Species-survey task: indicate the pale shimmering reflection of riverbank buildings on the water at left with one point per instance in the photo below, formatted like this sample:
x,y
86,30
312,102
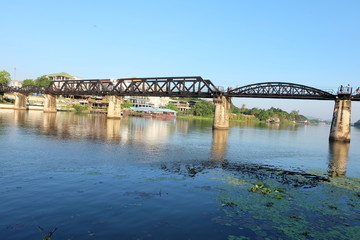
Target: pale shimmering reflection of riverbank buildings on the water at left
x,y
85,126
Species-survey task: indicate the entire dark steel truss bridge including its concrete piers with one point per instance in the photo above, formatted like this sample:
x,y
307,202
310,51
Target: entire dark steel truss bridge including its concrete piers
x,y
197,87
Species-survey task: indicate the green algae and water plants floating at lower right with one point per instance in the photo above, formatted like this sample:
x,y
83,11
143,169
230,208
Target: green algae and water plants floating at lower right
x,y
328,210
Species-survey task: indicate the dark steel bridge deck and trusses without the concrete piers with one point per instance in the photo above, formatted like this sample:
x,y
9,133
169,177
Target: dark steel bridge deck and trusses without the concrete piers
x,y
195,87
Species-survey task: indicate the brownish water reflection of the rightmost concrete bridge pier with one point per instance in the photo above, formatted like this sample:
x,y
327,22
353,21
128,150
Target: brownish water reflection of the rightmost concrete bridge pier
x,y
338,155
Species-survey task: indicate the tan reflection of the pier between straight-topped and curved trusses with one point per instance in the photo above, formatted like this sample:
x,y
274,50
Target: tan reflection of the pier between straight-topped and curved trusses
x,y
219,145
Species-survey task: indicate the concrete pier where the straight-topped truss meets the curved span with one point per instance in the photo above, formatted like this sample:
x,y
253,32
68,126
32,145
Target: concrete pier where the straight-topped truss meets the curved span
x,y
222,109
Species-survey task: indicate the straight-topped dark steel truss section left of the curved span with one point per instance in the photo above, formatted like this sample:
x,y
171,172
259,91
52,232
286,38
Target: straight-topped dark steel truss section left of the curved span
x,y
161,87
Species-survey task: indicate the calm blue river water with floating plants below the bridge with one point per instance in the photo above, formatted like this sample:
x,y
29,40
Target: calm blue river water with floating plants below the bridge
x,y
71,176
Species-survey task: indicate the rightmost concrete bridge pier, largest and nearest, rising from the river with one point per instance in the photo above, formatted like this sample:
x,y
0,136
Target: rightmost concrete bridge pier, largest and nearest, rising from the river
x,y
340,125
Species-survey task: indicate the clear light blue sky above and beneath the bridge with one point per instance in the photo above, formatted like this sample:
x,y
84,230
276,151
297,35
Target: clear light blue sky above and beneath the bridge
x,y
232,43
